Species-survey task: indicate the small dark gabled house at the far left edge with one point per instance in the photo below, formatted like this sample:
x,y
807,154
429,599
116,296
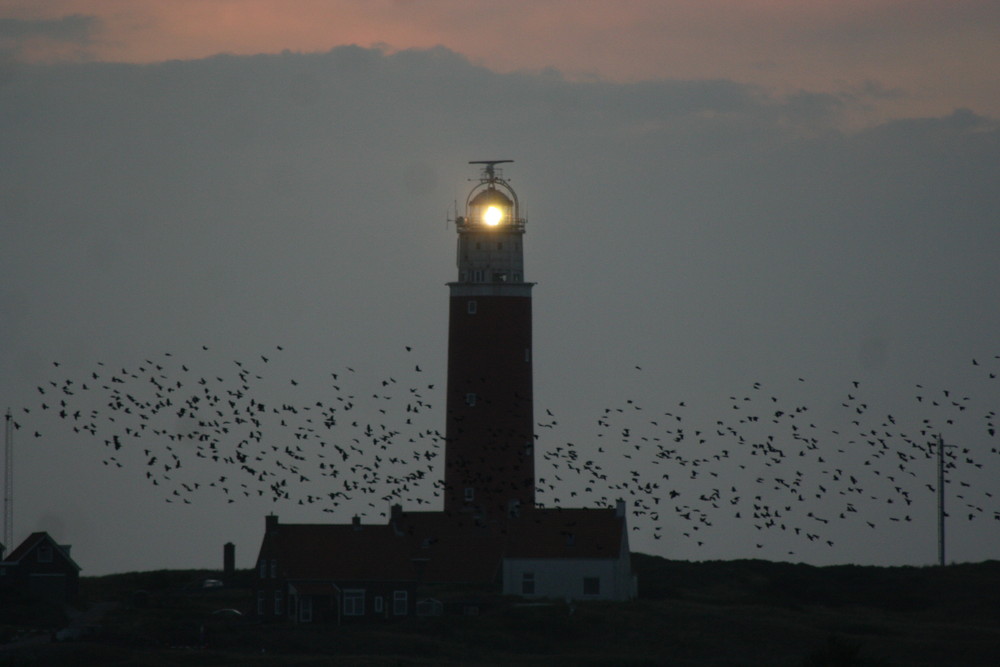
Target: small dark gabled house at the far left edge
x,y
40,567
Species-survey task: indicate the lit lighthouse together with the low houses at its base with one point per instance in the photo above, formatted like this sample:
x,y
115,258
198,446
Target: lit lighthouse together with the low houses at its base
x,y
489,537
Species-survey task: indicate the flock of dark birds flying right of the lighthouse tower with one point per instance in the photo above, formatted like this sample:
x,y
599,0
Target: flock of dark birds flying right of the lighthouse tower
x,y
770,465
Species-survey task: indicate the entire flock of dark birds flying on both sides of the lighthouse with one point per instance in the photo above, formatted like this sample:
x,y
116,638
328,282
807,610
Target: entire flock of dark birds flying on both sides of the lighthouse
x,y
347,441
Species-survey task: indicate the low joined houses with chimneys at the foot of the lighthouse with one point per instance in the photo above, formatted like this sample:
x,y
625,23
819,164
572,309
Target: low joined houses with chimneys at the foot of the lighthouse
x,y
354,572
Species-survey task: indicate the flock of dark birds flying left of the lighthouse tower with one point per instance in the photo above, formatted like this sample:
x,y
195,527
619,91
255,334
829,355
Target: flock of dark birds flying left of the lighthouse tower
x,y
195,432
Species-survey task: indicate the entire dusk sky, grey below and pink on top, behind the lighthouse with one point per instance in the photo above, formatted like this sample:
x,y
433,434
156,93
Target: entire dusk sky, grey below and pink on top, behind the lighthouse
x,y
764,237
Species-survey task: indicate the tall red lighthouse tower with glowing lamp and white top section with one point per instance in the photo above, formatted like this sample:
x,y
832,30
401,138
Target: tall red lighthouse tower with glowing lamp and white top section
x,y
489,455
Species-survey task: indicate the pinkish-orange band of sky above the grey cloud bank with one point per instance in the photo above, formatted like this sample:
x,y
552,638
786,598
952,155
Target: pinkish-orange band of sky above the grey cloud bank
x,y
939,52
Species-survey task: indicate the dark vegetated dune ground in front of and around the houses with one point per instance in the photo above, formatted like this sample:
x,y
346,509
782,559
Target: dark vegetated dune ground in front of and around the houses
x,y
714,613
